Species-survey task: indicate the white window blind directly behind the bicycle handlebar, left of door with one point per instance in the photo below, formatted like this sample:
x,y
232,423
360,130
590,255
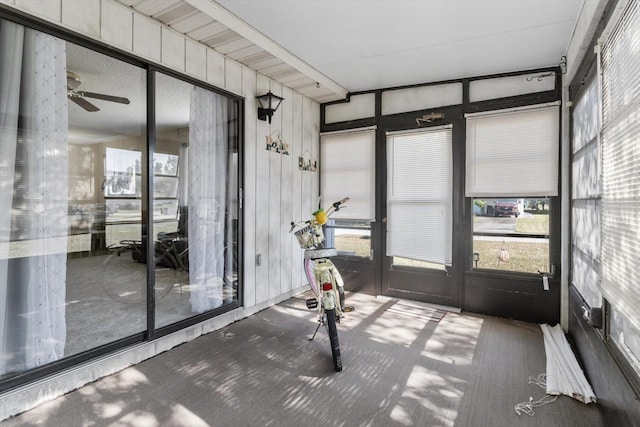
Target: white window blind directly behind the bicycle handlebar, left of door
x,y
348,170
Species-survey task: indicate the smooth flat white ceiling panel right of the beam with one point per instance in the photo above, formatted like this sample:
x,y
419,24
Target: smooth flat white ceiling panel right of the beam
x,y
371,44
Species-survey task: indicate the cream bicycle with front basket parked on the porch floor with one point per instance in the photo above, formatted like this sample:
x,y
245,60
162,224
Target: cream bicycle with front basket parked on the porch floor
x,y
319,269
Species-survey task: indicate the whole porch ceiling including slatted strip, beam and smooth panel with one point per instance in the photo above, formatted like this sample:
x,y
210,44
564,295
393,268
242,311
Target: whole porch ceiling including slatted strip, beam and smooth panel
x,y
325,49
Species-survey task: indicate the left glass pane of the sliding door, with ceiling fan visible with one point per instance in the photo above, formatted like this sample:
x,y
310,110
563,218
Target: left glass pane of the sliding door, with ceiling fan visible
x,y
56,207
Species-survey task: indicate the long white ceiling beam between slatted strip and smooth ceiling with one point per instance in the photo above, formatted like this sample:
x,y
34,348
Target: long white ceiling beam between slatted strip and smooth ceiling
x,y
222,15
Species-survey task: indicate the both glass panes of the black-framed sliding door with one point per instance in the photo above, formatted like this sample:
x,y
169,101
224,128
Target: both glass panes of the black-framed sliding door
x,y
73,258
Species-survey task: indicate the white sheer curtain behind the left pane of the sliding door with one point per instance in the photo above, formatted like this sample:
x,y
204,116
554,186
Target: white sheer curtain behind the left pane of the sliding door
x,y
33,197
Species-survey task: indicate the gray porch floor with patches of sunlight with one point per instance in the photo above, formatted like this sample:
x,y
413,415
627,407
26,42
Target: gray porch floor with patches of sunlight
x,y
403,366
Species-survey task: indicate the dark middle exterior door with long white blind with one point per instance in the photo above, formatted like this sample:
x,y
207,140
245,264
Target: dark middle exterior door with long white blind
x,y
418,216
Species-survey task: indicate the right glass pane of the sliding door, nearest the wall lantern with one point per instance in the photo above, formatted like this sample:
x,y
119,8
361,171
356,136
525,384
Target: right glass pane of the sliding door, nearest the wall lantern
x,y
195,202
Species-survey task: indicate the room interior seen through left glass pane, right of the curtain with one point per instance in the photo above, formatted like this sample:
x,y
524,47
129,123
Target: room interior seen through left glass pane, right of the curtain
x,y
106,282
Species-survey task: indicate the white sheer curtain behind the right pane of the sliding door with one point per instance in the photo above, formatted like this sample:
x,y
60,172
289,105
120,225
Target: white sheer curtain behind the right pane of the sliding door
x,y
207,196
